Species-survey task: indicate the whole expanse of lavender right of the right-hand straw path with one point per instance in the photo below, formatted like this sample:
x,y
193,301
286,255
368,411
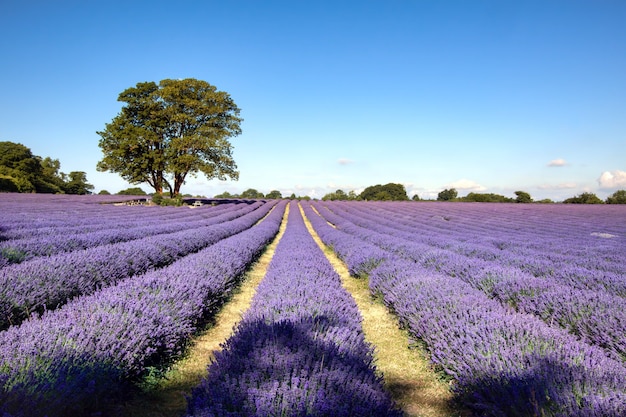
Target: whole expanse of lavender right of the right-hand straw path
x,y
522,305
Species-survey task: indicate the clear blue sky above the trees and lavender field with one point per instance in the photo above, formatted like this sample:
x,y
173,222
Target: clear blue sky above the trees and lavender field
x,y
482,96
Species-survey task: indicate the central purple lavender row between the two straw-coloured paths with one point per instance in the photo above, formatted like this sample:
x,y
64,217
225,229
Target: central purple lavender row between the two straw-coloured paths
x,y
299,350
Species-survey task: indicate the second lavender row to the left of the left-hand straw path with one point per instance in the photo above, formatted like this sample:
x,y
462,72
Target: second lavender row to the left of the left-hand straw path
x,y
45,283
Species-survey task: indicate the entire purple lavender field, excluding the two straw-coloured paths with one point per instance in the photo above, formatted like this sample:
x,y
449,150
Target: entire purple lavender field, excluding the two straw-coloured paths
x,y
521,306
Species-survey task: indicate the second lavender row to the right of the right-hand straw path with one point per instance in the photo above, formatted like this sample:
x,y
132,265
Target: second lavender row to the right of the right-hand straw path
x,y
591,311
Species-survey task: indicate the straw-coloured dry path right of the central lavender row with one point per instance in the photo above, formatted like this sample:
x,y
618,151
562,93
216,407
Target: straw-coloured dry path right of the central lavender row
x,y
407,373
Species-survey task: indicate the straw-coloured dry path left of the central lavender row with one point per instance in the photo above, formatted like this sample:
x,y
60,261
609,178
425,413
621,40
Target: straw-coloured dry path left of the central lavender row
x,y
167,397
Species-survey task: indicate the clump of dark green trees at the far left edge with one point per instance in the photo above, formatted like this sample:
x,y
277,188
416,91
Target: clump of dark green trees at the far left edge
x,y
23,172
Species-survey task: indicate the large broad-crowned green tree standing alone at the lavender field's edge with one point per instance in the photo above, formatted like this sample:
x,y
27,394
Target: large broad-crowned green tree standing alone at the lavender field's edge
x,y
168,131
